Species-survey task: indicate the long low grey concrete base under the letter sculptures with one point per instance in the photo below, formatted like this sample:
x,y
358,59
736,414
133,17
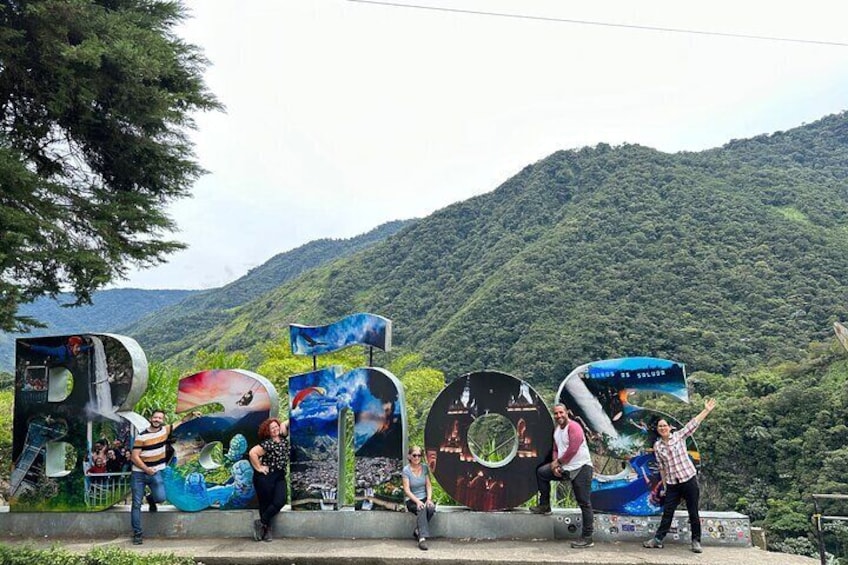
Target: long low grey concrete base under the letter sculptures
x,y
719,528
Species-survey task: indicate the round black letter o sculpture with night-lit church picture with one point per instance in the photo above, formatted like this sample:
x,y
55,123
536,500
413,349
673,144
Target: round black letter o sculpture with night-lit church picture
x,y
473,480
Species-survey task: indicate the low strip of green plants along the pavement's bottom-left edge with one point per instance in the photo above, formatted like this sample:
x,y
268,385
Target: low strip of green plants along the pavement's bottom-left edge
x,y
25,555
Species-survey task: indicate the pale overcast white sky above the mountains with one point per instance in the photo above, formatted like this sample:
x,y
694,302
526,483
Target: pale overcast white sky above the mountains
x,y
343,115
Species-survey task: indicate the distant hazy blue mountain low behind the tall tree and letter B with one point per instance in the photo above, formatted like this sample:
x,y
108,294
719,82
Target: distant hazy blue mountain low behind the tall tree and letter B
x,y
110,309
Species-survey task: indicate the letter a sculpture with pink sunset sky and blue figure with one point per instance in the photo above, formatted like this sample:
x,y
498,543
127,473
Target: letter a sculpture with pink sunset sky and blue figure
x,y
203,473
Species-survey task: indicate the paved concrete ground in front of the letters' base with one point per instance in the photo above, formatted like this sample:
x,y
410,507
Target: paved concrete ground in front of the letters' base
x,y
300,551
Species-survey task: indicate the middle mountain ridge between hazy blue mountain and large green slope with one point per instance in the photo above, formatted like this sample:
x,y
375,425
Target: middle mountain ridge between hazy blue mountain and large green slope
x,y
171,330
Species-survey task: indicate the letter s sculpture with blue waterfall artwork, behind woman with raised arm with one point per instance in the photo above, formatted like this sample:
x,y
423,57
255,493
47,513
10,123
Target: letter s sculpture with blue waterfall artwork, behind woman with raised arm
x,y
620,433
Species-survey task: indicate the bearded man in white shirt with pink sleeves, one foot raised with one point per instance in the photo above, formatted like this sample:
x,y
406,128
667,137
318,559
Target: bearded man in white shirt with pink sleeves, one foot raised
x,y
572,462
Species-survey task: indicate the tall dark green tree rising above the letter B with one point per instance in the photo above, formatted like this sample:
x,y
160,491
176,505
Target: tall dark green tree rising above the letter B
x,y
96,98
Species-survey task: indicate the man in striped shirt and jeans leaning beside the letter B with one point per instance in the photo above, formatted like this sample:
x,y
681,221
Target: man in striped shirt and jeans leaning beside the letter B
x,y
149,458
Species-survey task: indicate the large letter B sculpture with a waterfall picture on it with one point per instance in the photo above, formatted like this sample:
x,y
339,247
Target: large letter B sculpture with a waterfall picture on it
x,y
71,426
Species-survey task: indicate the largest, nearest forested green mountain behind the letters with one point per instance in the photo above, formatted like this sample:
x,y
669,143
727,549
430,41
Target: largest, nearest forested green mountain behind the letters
x,y
718,259
